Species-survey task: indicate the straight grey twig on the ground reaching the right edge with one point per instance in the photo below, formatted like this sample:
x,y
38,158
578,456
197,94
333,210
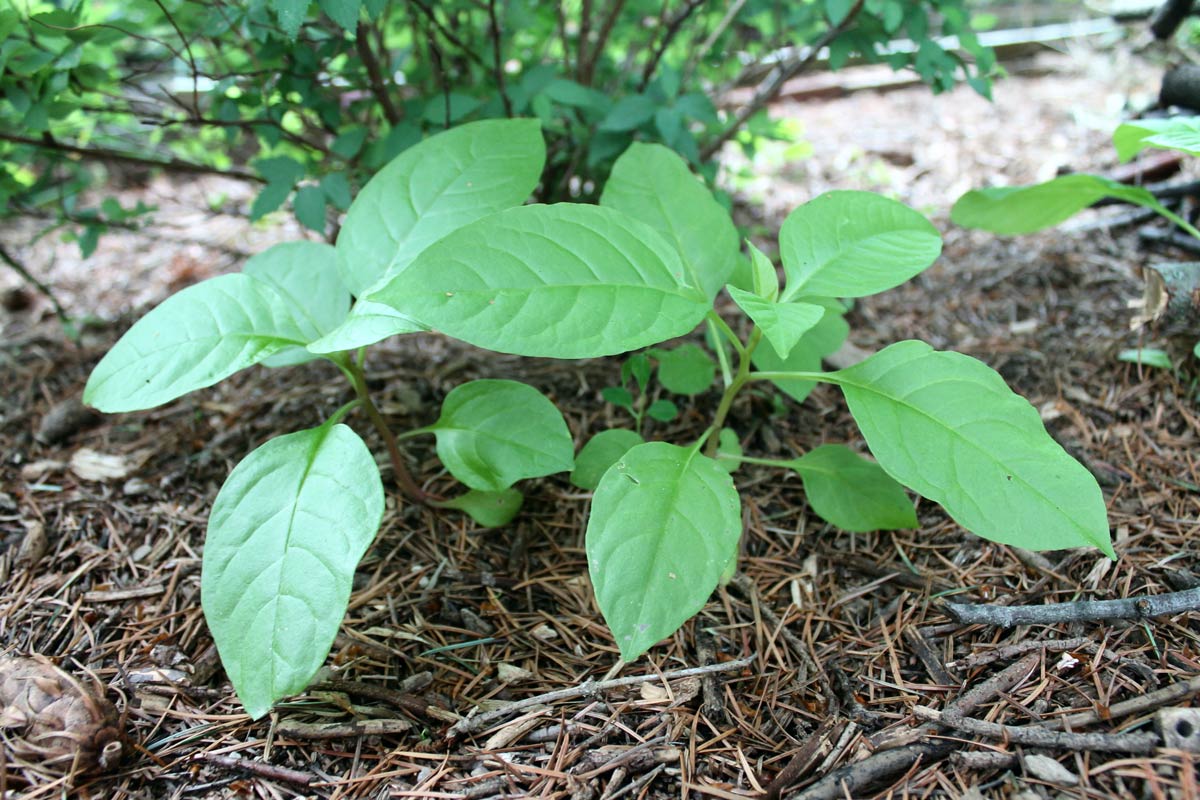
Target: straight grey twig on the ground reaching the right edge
x,y
1145,607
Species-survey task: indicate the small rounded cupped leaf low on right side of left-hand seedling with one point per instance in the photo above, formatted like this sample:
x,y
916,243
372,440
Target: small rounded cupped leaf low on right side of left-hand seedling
x,y
494,434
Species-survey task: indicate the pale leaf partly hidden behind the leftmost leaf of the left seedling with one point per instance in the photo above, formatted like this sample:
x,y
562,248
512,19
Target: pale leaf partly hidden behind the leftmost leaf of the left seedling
x,y
305,276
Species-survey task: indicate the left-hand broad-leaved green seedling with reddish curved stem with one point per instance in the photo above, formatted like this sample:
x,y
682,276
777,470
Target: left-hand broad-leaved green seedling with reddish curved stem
x,y
293,520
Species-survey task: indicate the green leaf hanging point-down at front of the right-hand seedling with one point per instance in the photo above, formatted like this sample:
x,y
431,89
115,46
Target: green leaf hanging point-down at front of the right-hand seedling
x,y
665,525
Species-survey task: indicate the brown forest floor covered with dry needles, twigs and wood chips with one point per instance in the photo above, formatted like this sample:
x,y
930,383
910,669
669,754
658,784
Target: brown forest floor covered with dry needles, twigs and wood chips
x,y
853,655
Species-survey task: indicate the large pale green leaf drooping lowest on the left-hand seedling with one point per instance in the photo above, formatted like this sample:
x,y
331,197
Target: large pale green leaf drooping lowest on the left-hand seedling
x,y
285,537
